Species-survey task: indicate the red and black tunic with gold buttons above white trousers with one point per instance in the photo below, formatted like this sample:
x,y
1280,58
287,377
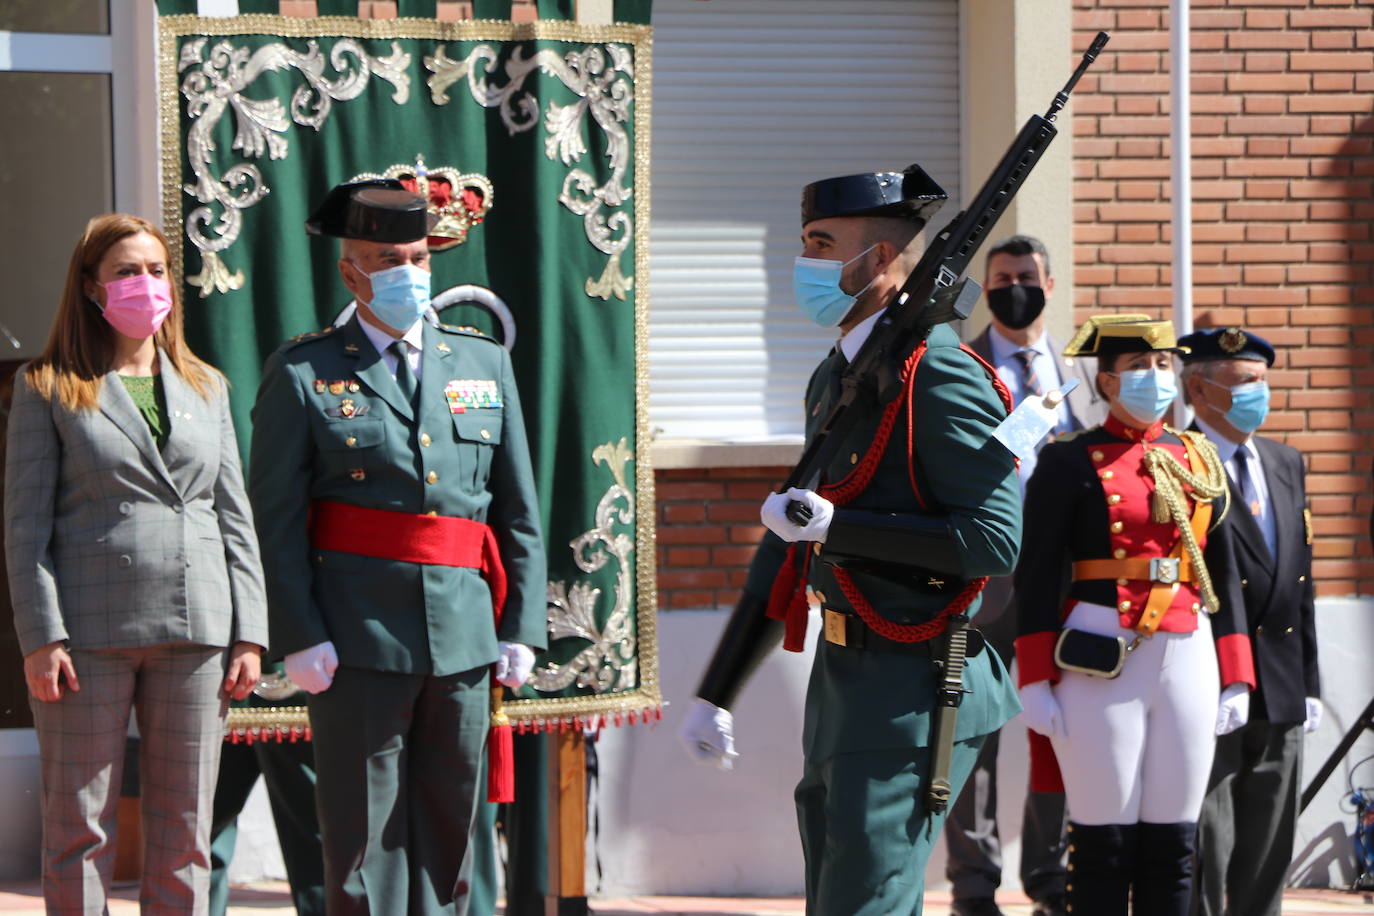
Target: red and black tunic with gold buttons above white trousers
x,y
1090,498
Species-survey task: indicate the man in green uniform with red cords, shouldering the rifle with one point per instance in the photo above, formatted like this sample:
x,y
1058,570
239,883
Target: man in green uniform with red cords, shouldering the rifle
x,y
917,505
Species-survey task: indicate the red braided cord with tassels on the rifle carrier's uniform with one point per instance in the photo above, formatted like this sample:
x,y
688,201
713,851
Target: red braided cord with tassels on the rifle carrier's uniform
x,y
788,601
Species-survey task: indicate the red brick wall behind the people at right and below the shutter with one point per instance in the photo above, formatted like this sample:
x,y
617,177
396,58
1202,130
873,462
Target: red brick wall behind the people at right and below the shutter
x,y
1283,204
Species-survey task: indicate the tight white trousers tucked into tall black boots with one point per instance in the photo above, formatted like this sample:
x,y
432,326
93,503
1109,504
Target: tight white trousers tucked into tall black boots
x,y
1138,748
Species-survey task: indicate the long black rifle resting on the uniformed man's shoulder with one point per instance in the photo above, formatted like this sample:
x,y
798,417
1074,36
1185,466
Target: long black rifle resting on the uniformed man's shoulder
x,y
932,295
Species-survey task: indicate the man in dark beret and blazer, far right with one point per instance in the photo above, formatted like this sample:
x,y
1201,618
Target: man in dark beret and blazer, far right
x,y
1246,833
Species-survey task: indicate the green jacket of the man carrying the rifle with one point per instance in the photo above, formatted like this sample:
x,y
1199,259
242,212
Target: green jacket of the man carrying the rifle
x,y
873,700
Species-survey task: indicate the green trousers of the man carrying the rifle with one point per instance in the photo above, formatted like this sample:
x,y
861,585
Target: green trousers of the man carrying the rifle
x,y
865,830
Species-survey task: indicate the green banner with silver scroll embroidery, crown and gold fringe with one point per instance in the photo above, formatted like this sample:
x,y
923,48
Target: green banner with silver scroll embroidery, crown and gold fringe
x,y
531,142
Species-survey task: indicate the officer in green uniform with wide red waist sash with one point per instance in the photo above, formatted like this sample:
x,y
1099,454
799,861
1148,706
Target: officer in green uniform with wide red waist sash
x,y
394,496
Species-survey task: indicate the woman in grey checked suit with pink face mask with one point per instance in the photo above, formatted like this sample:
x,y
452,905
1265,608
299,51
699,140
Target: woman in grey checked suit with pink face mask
x,y
134,571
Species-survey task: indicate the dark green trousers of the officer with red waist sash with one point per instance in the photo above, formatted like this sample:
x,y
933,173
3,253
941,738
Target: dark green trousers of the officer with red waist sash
x,y
398,764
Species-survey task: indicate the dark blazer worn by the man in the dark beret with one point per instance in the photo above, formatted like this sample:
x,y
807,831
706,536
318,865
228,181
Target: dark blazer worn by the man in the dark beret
x,y
1279,591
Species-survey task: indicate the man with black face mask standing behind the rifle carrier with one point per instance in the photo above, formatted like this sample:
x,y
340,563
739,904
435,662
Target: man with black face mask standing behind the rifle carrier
x,y
1019,286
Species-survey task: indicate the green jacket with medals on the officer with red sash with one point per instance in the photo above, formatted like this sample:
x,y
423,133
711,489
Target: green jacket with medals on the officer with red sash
x,y
462,457
